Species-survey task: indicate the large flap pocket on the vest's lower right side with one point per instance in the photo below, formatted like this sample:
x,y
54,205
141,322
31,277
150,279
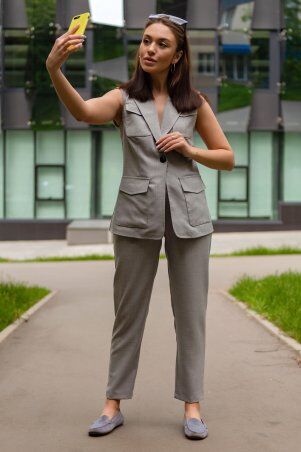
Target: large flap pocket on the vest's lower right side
x,y
196,202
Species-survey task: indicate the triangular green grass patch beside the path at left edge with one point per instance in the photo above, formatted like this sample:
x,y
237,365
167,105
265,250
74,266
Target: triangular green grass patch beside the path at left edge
x,y
16,298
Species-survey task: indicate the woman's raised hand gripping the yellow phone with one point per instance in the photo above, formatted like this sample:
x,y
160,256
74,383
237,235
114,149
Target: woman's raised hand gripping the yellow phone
x,y
60,52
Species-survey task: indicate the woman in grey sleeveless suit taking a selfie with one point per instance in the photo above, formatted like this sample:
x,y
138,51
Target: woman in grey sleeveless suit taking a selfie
x,y
161,193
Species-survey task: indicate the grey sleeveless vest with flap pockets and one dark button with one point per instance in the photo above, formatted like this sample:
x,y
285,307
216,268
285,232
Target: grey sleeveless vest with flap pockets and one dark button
x,y
147,173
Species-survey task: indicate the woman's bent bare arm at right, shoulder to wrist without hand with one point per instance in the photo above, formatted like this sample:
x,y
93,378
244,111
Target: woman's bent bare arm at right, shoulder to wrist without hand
x,y
219,154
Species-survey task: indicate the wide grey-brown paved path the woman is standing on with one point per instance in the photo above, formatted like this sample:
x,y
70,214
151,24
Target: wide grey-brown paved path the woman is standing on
x,y
53,371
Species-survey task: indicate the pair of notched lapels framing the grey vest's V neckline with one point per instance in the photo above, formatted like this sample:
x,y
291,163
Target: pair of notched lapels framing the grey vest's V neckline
x,y
149,112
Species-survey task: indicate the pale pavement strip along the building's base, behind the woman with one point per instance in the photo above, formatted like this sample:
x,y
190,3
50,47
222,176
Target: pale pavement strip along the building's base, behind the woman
x,y
222,242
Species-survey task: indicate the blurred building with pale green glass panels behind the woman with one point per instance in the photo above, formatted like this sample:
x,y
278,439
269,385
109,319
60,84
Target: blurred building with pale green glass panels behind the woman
x,y
246,56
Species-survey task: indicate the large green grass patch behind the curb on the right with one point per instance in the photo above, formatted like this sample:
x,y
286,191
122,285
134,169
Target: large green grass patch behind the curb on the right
x,y
276,297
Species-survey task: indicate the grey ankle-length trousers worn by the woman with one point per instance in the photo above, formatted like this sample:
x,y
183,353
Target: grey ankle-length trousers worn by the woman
x,y
136,264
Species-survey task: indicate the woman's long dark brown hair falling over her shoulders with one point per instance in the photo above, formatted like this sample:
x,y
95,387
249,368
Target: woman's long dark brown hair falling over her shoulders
x,y
183,96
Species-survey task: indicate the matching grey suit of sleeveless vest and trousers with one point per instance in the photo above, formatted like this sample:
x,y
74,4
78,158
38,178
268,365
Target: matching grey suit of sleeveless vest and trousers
x,y
159,199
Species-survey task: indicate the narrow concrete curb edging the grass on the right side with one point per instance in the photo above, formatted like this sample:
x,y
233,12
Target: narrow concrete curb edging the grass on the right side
x,y
273,329
